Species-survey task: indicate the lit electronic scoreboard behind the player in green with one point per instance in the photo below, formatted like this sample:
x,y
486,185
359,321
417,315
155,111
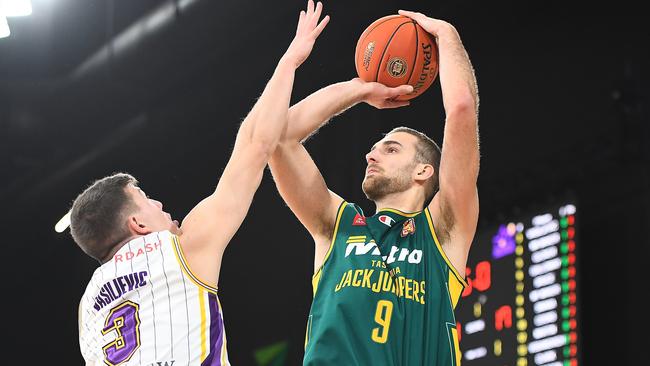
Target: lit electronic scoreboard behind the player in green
x,y
520,308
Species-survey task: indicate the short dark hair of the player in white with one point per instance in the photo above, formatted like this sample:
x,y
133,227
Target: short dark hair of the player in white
x,y
98,215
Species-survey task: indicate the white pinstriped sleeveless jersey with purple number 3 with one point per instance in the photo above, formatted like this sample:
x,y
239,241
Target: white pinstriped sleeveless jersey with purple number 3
x,y
145,307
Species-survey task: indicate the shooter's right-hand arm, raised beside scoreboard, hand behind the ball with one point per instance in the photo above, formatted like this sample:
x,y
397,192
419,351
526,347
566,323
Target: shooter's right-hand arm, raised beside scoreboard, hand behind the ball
x,y
455,207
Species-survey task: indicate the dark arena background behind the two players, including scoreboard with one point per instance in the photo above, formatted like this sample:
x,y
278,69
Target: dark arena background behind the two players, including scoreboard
x,y
559,265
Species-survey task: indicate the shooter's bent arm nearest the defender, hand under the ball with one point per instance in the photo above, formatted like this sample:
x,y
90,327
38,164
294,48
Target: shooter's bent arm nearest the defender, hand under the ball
x,y
297,177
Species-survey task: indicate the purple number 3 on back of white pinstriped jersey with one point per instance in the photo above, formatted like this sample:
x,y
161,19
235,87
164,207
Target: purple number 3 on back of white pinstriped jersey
x,y
124,322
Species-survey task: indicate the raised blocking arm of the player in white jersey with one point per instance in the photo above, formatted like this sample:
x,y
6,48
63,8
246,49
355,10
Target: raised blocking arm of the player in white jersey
x,y
209,227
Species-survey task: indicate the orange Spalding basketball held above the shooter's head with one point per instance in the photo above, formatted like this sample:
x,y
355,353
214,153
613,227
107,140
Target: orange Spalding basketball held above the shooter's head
x,y
395,50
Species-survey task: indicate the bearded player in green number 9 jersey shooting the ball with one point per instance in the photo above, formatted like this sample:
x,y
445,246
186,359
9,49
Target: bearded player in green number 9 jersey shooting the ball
x,y
386,285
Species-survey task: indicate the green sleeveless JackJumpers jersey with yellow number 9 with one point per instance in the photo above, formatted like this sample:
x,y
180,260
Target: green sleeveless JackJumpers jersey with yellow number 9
x,y
385,294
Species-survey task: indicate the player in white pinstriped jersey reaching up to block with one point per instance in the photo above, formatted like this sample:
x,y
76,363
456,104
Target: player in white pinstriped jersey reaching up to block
x,y
153,300
